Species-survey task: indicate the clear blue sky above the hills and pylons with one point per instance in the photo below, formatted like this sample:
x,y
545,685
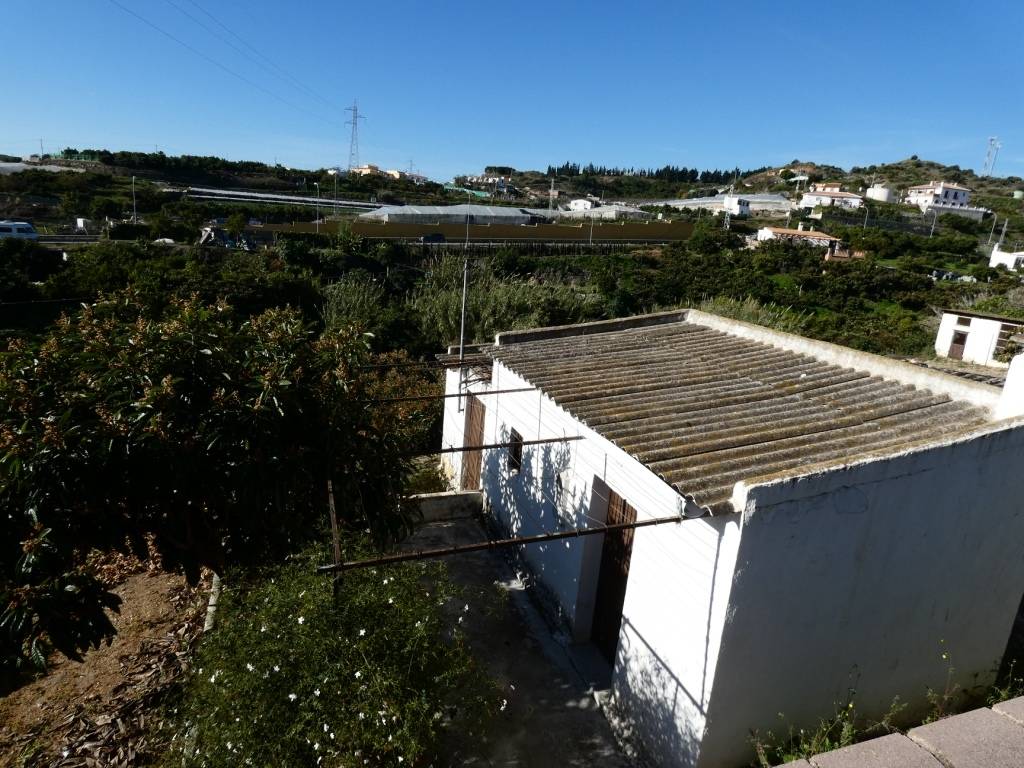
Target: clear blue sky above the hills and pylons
x,y
452,87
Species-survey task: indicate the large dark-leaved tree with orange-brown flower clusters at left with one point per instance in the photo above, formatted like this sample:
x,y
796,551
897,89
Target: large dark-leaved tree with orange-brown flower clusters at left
x,y
216,438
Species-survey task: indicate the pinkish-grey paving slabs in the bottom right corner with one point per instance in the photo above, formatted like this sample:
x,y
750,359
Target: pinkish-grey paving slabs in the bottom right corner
x,y
982,739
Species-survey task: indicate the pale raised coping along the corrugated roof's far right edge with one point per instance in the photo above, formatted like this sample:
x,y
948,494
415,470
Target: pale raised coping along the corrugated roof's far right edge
x,y
983,396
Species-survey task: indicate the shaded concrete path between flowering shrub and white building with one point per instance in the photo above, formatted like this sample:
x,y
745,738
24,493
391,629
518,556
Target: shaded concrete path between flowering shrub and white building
x,y
550,716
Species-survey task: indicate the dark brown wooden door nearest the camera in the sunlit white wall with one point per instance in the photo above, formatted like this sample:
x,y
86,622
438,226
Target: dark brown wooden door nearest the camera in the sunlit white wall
x,y
614,575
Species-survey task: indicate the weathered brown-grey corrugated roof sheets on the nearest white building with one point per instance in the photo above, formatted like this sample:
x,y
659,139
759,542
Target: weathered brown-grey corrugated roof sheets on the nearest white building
x,y
705,410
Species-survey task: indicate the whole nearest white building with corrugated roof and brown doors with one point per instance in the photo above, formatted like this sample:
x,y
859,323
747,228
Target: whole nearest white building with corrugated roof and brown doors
x,y
839,516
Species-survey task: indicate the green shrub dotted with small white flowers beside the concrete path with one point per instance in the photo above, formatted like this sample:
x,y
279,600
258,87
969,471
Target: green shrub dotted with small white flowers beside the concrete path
x,y
293,676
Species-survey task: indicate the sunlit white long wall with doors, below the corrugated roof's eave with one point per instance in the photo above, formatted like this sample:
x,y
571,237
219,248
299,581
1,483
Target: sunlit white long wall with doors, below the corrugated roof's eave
x,y
680,575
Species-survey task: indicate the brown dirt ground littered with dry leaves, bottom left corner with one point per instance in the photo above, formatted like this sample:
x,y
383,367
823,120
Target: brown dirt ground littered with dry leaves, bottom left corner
x,y
94,713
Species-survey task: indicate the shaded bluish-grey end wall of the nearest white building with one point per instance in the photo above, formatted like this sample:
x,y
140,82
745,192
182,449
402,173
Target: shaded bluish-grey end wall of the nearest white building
x,y
854,578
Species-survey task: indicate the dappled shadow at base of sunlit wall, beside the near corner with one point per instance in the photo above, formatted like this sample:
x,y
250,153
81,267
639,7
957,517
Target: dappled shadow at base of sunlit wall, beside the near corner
x,y
655,703
